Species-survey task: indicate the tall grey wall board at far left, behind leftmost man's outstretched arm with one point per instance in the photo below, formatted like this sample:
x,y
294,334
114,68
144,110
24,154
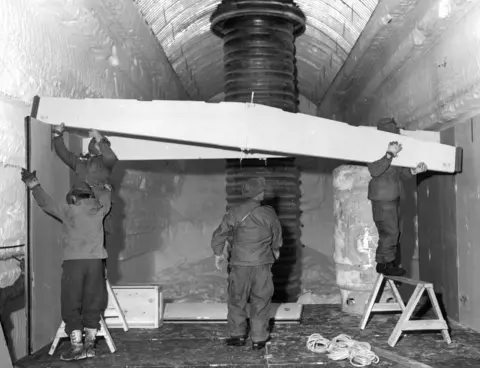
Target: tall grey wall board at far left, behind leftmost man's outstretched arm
x,y
45,247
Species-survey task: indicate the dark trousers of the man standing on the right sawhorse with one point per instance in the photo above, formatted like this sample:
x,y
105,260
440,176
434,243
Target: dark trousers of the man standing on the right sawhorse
x,y
386,215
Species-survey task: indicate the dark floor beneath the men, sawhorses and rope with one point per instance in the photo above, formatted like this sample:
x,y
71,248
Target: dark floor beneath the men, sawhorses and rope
x,y
201,345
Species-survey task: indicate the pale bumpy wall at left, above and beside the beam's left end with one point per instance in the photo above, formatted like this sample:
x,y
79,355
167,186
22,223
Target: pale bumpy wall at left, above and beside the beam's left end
x,y
86,48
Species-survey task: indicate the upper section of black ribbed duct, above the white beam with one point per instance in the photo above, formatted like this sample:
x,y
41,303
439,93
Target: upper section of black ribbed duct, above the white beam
x,y
258,48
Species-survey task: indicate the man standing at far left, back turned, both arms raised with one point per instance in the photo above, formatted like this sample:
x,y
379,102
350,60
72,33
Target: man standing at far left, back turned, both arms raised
x,y
83,289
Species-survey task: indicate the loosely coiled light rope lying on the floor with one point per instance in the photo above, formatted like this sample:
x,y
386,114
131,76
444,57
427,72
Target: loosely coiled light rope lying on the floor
x,y
359,354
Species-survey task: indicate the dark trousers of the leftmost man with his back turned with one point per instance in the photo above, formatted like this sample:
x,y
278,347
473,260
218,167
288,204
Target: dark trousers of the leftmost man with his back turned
x,y
84,294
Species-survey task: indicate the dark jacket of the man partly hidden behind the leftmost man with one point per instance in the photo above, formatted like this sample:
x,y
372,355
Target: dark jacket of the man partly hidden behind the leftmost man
x,y
93,169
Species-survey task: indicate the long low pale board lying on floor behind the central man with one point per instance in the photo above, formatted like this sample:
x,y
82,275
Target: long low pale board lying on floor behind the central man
x,y
218,311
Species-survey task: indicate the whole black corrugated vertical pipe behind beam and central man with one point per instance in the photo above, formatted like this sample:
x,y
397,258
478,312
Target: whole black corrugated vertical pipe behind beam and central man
x,y
259,62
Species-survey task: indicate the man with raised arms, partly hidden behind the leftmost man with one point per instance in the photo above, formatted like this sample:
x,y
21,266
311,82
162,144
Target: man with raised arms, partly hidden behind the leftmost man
x,y
93,168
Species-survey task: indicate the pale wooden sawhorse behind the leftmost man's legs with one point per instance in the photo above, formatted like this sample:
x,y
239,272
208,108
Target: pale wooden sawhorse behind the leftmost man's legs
x,y
115,312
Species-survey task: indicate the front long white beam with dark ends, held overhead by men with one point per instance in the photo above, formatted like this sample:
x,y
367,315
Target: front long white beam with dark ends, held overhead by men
x,y
242,127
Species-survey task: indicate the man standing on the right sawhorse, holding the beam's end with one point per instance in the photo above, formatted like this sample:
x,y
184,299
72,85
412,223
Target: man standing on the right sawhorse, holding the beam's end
x,y
384,191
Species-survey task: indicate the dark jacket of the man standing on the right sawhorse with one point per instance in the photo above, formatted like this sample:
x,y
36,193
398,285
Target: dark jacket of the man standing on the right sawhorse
x,y
386,182
